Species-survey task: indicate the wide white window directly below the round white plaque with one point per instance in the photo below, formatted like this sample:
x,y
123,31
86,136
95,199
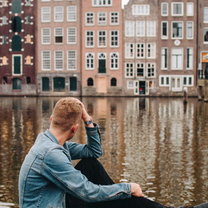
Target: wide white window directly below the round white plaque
x,y
177,58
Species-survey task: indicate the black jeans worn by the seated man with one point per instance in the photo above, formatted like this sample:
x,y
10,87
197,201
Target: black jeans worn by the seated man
x,y
95,173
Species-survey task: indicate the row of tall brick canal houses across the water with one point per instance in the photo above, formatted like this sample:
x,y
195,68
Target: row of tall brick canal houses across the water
x,y
98,48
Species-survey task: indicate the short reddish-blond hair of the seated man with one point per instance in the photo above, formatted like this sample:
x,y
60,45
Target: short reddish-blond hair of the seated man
x,y
67,112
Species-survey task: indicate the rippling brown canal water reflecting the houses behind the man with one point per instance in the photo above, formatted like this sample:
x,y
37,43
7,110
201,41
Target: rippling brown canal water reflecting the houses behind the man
x,y
159,143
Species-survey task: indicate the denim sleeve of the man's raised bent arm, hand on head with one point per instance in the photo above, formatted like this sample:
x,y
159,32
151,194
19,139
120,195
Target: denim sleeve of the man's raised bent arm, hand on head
x,y
91,149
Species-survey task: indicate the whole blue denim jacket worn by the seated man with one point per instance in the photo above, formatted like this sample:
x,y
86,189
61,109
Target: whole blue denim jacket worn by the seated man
x,y
47,173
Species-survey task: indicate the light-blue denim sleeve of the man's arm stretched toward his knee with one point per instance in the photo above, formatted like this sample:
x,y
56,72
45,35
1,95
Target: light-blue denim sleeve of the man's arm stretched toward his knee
x,y
58,169
